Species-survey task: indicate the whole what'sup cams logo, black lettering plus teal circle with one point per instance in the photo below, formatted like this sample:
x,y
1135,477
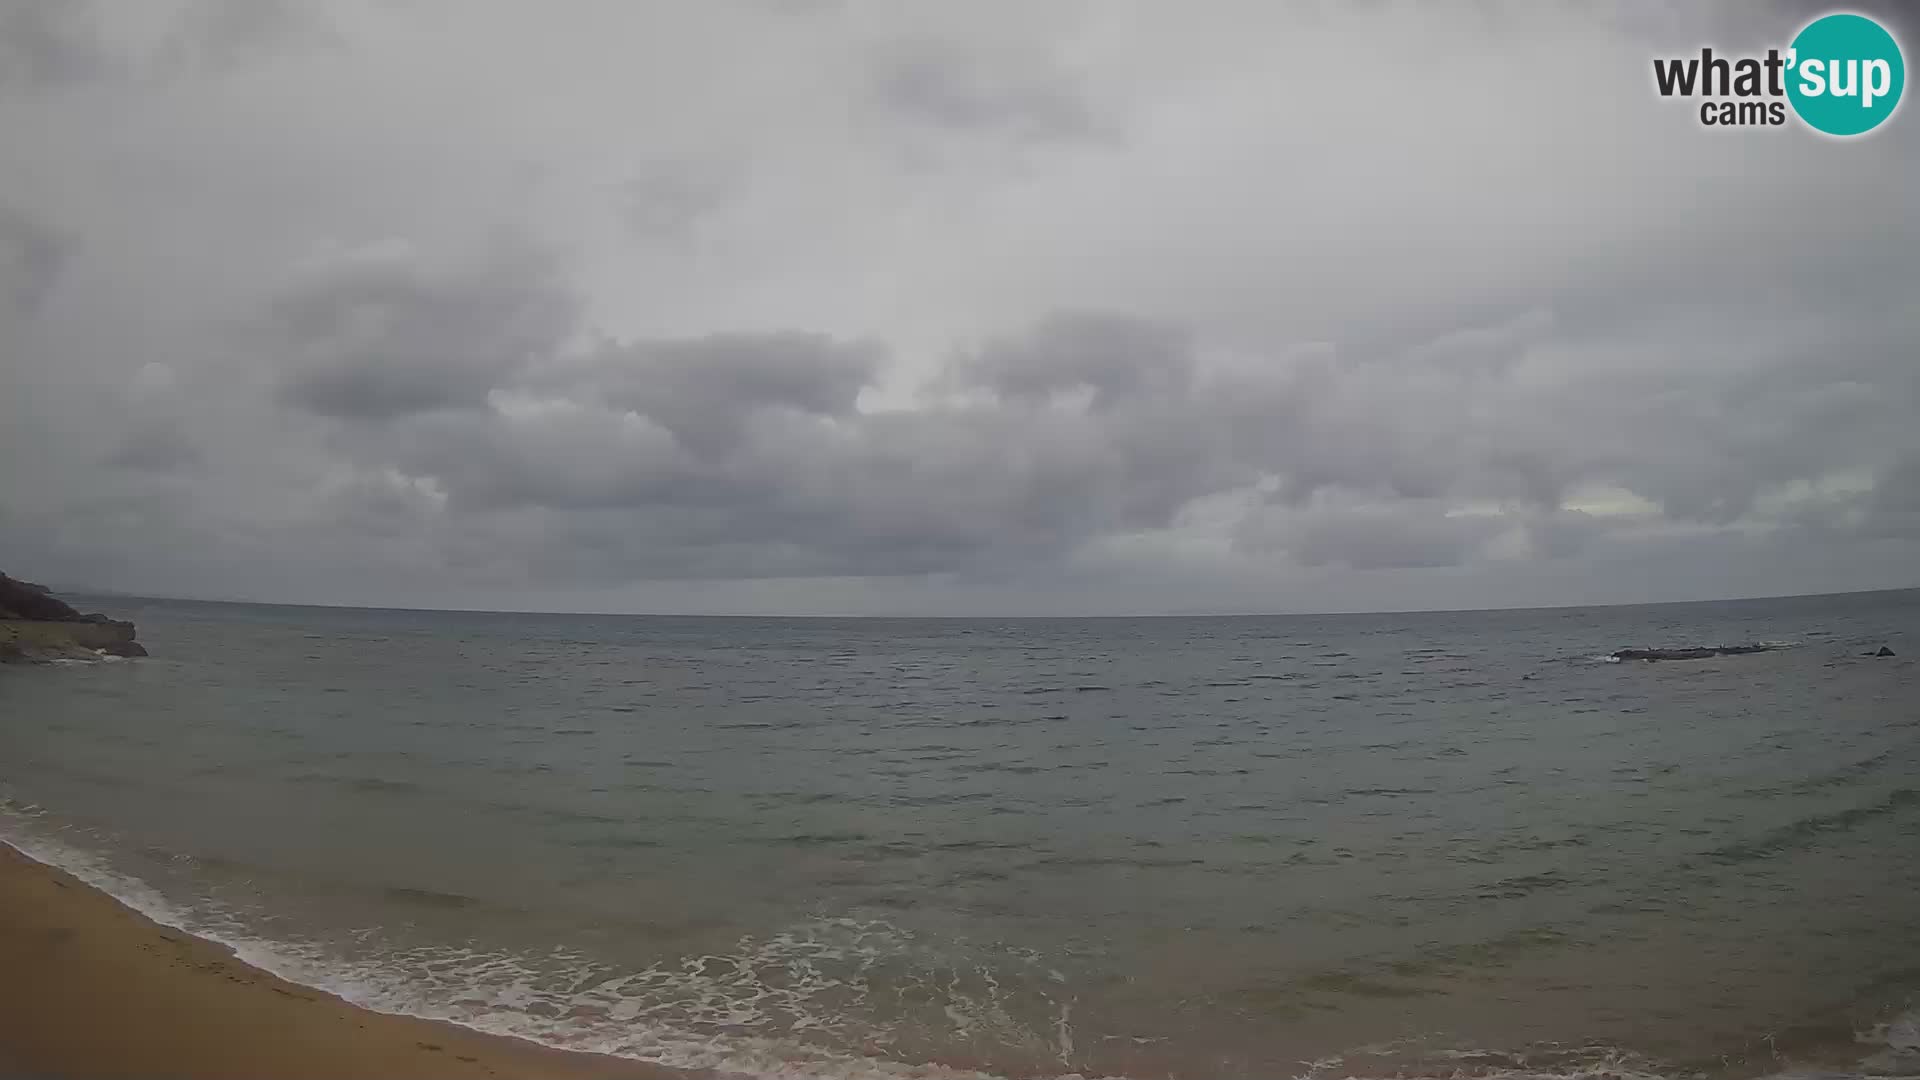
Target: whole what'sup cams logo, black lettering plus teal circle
x,y
1842,76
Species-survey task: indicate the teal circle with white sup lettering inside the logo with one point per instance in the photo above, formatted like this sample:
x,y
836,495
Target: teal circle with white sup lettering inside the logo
x,y
1846,74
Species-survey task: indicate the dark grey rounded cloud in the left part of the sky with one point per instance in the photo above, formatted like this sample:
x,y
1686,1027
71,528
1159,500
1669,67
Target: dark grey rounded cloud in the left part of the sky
x,y
383,337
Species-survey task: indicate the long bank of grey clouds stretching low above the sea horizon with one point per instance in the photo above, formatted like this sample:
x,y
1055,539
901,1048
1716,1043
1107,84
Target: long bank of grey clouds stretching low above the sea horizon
x,y
752,454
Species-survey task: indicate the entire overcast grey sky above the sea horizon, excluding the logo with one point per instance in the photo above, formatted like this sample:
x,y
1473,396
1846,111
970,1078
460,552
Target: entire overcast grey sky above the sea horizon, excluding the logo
x,y
911,308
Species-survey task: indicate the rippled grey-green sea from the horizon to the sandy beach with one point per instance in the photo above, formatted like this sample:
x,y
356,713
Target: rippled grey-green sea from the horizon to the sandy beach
x,y
1429,845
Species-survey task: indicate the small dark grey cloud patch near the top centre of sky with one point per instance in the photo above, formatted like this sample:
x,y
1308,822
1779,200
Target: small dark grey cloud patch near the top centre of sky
x,y
942,86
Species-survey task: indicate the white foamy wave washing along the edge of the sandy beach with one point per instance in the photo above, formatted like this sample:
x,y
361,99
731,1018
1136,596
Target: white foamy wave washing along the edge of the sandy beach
x,y
661,1016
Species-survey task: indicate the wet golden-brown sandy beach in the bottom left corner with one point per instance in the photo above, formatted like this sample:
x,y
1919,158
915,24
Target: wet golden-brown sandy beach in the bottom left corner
x,y
95,989
